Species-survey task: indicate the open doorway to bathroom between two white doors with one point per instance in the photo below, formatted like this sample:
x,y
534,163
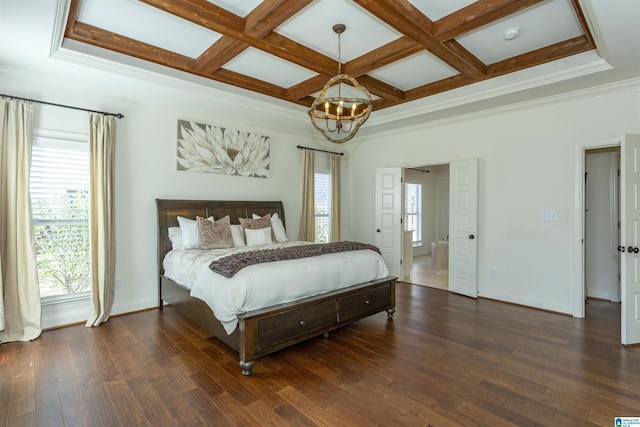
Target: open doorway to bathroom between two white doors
x,y
426,224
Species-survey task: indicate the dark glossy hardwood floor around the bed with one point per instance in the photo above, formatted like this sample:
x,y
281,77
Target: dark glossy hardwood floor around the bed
x,y
445,360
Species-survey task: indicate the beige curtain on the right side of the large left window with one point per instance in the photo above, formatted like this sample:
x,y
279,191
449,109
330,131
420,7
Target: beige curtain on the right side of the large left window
x,y
102,135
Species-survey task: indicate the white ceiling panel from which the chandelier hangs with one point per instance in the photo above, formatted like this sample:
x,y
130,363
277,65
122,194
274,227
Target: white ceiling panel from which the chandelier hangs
x,y
313,27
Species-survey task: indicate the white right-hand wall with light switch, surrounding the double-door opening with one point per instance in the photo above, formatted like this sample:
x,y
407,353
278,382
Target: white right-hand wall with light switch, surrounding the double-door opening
x,y
527,164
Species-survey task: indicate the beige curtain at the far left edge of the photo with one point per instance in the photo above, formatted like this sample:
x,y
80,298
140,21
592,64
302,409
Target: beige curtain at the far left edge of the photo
x,y
20,309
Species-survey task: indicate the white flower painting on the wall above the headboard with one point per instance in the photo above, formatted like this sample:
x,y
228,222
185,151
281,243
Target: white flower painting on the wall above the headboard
x,y
206,148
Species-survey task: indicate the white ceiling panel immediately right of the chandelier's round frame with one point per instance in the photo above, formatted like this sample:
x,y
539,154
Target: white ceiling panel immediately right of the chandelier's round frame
x,y
414,71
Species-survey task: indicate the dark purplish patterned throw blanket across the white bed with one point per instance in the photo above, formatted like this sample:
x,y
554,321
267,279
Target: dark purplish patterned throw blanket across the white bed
x,y
230,265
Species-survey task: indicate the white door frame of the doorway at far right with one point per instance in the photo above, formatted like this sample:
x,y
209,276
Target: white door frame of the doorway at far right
x,y
578,248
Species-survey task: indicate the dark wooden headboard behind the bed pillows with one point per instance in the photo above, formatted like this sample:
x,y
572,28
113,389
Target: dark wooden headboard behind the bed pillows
x,y
169,210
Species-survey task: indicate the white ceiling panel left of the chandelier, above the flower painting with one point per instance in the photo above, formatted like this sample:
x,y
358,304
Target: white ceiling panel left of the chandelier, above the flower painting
x,y
260,65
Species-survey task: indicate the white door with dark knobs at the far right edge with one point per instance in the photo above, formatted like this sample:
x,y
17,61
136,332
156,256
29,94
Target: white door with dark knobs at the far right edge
x,y
630,239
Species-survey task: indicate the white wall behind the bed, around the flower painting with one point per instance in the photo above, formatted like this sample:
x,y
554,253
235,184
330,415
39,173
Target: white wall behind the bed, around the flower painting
x,y
146,169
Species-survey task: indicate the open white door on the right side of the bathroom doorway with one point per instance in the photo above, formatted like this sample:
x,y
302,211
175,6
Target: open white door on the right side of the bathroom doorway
x,y
463,224
